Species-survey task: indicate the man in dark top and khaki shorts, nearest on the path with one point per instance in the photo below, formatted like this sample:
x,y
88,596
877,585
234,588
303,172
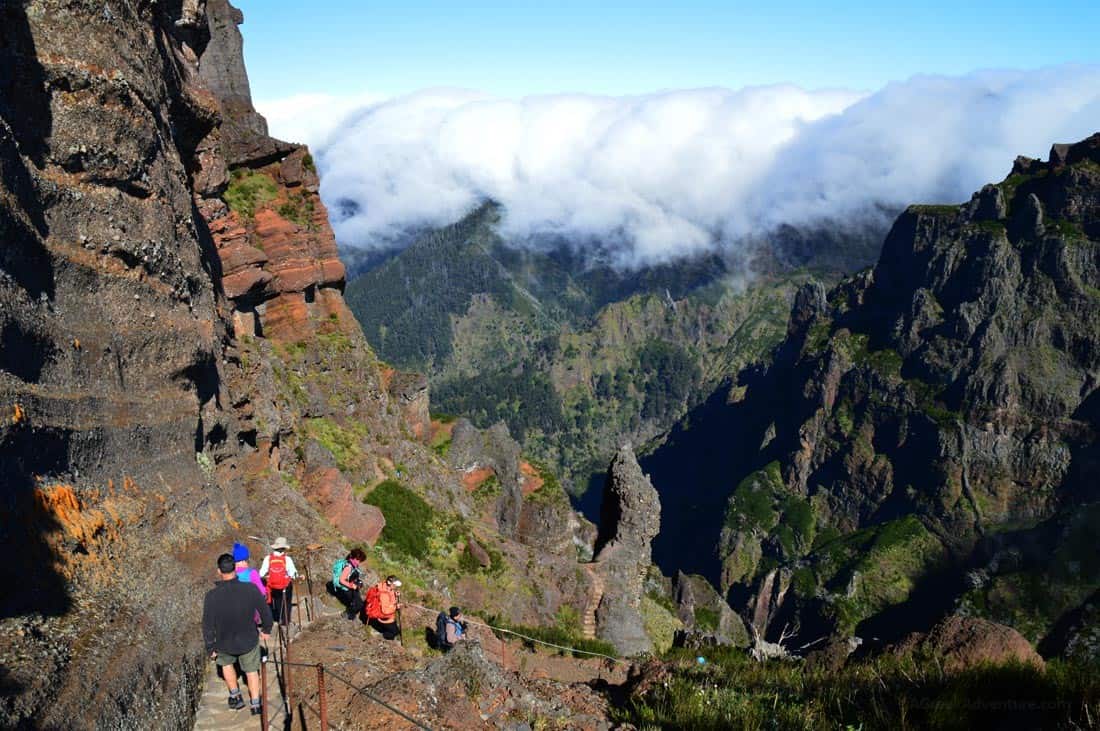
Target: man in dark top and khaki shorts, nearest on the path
x,y
229,632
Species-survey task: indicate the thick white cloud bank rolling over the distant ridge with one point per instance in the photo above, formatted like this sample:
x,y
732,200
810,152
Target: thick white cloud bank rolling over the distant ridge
x,y
653,178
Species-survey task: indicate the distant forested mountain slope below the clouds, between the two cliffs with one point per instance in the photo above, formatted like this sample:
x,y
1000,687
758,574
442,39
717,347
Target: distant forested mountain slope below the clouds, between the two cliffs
x,y
575,357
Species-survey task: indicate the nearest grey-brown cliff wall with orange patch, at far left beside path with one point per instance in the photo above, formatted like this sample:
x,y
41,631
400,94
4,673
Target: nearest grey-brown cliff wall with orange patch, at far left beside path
x,y
112,382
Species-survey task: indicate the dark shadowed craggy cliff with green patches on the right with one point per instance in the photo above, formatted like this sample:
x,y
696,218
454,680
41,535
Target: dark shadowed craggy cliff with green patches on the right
x,y
928,433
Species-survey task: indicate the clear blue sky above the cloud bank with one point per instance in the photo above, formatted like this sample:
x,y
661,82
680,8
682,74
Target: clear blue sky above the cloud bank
x,y
613,48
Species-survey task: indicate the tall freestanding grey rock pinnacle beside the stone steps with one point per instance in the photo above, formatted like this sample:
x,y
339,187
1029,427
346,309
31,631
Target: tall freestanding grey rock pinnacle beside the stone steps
x,y
631,518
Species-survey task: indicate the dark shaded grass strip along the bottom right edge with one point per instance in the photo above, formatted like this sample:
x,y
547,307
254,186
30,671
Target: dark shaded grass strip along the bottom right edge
x,y
733,692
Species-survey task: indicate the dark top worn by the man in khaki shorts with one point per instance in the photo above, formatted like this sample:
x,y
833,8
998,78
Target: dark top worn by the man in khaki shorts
x,y
229,617
